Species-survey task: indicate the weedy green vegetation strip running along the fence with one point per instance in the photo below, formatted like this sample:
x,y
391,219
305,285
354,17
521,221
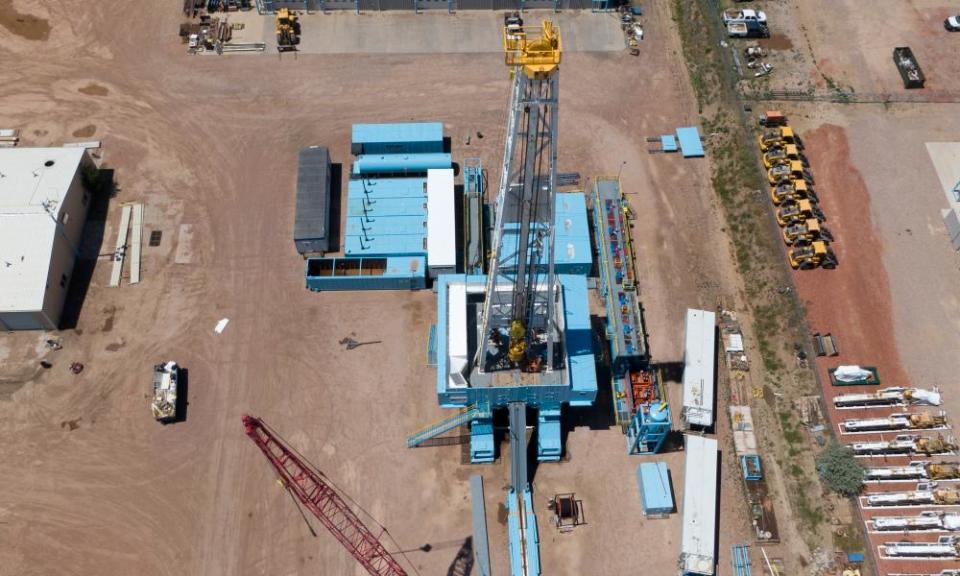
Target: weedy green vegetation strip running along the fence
x,y
778,318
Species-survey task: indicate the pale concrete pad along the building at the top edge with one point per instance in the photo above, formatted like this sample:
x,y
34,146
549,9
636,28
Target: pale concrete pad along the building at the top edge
x,y
441,33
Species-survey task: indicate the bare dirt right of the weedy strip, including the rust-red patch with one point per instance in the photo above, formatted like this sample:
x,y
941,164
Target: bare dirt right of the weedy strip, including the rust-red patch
x,y
891,302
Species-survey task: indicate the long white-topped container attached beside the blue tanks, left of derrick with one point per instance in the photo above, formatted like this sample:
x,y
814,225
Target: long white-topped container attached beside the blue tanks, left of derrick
x,y
441,219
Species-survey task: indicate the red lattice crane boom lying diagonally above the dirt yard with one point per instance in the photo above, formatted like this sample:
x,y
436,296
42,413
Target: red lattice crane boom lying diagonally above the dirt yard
x,y
308,486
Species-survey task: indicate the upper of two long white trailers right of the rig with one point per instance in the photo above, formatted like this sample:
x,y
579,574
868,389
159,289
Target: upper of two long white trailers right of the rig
x,y
698,376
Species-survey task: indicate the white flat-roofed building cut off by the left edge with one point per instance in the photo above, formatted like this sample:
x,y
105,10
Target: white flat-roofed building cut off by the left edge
x,y
43,206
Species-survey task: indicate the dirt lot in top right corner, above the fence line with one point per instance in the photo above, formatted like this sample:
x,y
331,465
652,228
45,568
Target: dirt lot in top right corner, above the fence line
x,y
847,45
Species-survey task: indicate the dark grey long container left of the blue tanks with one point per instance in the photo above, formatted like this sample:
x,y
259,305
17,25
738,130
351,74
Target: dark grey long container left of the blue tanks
x,y
313,194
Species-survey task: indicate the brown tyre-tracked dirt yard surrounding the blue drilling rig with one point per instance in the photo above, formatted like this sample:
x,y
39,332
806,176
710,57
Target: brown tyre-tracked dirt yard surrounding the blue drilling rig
x,y
92,485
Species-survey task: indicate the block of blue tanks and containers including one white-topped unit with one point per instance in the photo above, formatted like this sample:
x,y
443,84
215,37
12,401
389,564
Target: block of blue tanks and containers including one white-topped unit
x,y
400,176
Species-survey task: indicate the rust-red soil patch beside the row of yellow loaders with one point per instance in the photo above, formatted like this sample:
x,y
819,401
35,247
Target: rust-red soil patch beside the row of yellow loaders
x,y
853,301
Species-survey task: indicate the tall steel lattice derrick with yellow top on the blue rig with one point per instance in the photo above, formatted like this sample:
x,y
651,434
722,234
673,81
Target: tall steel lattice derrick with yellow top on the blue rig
x,y
519,328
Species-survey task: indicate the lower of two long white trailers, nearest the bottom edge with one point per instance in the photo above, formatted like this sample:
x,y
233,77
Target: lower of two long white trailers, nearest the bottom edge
x,y
699,506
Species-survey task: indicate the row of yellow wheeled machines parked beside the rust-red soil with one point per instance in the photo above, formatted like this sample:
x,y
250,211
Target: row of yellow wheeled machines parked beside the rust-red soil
x,y
791,191
